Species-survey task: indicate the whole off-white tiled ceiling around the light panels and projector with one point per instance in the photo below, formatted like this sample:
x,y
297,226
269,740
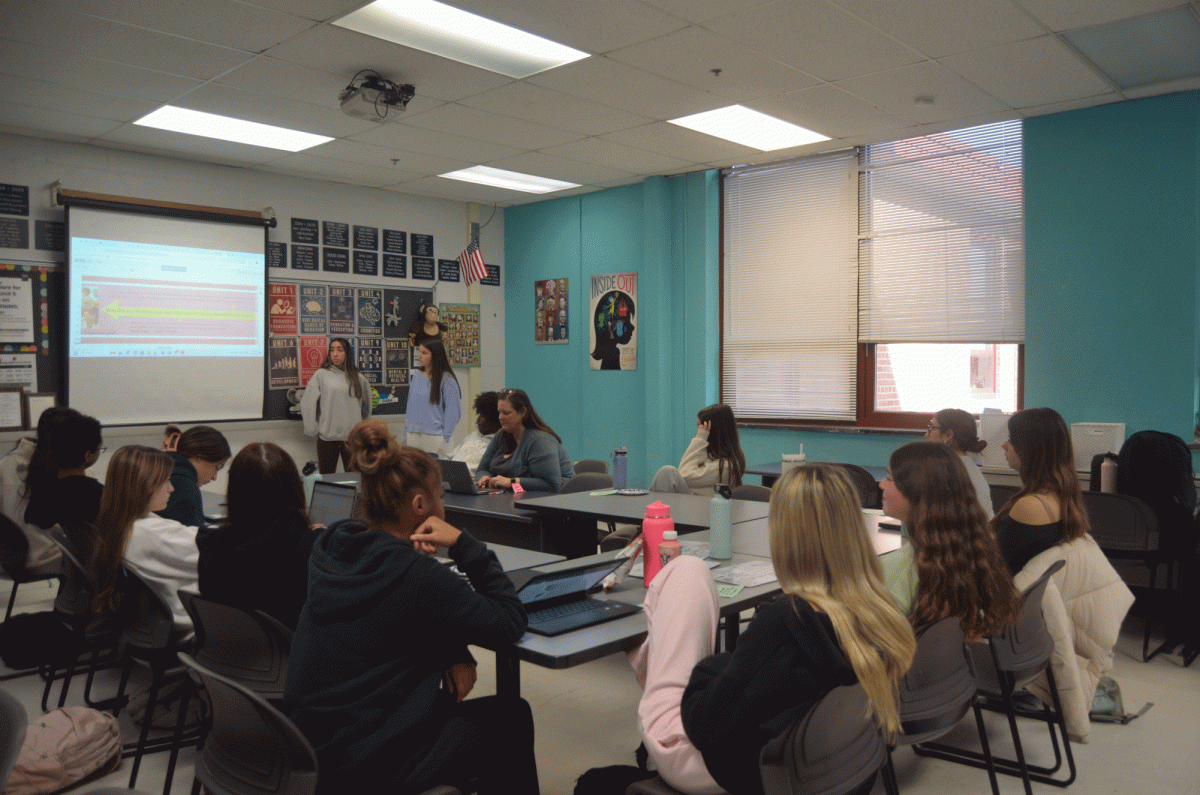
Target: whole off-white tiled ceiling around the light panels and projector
x,y
83,70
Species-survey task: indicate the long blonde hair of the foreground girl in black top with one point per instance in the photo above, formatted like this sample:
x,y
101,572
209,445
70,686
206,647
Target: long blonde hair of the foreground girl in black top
x,y
823,554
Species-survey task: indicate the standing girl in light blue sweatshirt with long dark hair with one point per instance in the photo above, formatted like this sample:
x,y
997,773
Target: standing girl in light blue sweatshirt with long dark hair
x,y
434,402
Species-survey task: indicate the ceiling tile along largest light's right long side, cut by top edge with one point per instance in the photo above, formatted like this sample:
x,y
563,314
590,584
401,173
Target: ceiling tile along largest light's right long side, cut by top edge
x,y
595,28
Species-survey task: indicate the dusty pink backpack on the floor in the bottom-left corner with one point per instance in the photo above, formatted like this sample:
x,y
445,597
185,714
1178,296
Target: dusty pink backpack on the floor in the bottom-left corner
x,y
63,749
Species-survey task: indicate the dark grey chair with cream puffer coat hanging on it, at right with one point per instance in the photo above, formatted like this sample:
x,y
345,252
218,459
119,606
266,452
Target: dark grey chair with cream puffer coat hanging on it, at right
x,y
1004,666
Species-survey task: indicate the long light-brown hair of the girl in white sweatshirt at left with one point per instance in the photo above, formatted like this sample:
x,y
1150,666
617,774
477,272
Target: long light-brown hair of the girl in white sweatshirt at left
x,y
135,474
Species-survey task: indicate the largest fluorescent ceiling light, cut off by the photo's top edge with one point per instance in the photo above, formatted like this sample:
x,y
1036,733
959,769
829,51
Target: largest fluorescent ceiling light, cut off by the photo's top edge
x,y
459,35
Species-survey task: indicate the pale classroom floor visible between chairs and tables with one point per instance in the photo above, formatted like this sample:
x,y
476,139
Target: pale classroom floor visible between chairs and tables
x,y
585,718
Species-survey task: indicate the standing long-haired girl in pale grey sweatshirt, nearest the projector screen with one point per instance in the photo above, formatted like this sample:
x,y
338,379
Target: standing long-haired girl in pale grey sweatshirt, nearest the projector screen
x,y
335,401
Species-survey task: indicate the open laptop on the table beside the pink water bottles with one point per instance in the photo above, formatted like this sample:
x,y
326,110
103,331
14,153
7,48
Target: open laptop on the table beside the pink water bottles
x,y
559,602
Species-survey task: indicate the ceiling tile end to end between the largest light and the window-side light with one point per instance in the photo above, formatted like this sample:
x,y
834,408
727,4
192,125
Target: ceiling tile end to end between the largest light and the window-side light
x,y
604,80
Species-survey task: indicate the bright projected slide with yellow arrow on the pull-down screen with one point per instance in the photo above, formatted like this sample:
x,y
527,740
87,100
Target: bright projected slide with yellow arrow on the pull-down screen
x,y
141,300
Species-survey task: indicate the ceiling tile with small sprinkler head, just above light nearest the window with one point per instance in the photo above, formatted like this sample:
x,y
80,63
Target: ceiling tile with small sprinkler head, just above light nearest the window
x,y
692,55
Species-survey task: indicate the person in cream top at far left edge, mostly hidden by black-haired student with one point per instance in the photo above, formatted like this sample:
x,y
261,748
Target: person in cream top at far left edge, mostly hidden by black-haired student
x,y
15,474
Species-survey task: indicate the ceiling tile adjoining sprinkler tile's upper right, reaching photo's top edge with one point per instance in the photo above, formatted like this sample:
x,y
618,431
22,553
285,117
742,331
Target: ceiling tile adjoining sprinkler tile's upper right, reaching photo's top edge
x,y
817,38
